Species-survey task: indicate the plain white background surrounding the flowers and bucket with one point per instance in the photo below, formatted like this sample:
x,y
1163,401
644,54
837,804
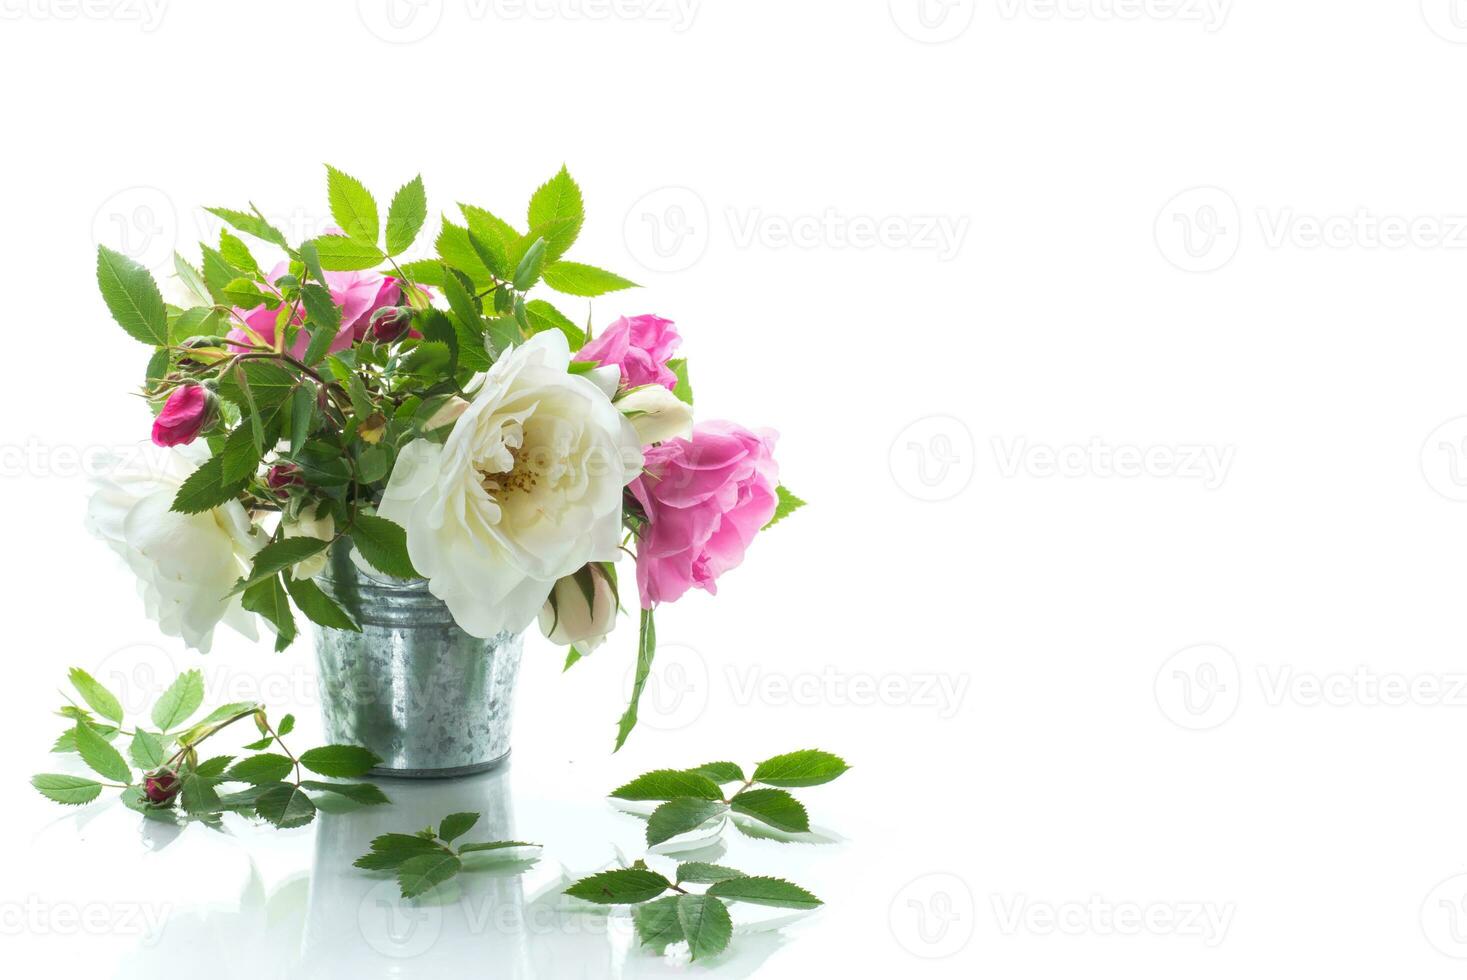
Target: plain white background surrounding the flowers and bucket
x,y
1006,277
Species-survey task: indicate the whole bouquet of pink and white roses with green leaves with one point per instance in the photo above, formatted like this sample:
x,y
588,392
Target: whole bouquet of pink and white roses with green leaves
x,y
428,413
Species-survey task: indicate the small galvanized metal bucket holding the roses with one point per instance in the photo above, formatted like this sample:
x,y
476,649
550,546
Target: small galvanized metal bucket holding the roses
x,y
425,696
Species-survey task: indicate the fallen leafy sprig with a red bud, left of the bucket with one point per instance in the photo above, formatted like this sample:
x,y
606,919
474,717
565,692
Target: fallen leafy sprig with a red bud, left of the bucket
x,y
274,784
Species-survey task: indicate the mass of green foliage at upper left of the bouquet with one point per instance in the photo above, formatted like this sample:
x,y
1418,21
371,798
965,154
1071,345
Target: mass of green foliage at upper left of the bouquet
x,y
337,420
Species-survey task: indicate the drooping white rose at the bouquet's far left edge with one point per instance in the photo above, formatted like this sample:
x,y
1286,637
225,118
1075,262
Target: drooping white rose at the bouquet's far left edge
x,y
186,563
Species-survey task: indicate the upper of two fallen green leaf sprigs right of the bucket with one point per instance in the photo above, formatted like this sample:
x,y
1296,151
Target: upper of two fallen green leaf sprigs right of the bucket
x,y
692,797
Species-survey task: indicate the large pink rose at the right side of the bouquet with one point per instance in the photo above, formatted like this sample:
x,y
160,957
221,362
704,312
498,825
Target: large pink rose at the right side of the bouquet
x,y
705,501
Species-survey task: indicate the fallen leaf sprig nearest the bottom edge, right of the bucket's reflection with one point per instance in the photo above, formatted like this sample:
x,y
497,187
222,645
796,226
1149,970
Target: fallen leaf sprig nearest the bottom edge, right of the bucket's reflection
x,y
700,919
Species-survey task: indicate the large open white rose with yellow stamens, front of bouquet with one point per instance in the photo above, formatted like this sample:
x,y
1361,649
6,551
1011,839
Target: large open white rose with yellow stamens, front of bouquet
x,y
526,491
